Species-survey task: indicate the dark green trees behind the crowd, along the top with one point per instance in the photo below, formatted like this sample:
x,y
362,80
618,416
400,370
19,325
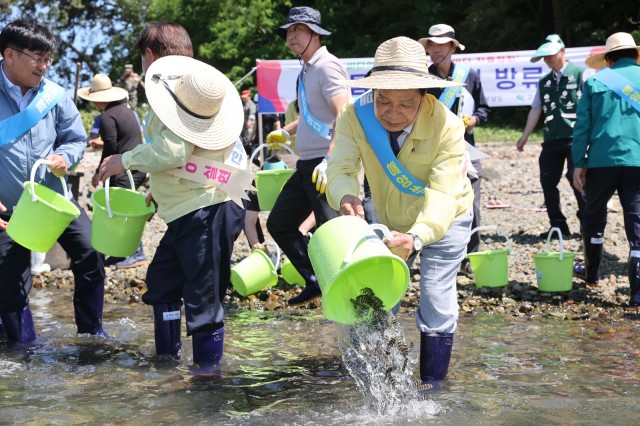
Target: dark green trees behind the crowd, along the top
x,y
101,35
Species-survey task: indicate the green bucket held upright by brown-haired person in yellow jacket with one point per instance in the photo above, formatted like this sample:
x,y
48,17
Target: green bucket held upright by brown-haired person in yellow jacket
x,y
119,217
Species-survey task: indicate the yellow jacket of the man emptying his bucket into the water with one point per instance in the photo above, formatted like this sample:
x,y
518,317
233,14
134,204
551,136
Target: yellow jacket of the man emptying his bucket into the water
x,y
433,152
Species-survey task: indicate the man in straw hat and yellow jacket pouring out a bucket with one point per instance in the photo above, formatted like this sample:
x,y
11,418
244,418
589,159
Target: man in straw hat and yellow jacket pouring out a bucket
x,y
412,149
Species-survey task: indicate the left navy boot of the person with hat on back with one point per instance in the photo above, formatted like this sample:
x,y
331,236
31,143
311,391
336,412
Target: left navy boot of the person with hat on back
x,y
166,322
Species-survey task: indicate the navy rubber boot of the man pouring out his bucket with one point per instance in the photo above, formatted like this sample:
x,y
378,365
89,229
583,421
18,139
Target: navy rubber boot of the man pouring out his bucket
x,y
435,355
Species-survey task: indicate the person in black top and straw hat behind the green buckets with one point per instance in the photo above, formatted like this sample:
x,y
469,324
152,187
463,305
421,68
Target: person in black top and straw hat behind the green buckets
x,y
120,132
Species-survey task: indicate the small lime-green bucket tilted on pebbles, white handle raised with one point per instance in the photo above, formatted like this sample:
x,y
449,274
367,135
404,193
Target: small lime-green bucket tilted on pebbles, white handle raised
x,y
255,272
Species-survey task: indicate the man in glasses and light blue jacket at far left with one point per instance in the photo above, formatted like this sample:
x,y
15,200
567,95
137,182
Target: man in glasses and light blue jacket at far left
x,y
47,127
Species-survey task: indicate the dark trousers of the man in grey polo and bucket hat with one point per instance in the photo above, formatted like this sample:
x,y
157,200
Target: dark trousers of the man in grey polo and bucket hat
x,y
295,203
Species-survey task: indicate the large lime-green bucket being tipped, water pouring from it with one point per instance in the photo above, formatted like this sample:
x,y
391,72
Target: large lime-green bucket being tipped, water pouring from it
x,y
348,256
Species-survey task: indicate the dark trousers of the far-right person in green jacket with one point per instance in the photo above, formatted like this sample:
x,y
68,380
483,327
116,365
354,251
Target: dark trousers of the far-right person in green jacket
x,y
601,184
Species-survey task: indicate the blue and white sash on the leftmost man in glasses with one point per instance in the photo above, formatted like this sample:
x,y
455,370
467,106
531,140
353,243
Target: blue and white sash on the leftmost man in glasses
x,y
48,96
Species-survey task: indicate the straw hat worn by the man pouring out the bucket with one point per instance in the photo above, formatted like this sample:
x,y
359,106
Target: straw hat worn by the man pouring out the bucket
x,y
400,63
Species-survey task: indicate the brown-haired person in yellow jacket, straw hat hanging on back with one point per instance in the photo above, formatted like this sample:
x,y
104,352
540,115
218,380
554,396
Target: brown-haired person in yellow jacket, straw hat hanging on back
x,y
198,177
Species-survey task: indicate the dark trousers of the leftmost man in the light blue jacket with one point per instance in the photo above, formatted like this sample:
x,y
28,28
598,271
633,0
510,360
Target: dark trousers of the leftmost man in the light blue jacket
x,y
87,266
